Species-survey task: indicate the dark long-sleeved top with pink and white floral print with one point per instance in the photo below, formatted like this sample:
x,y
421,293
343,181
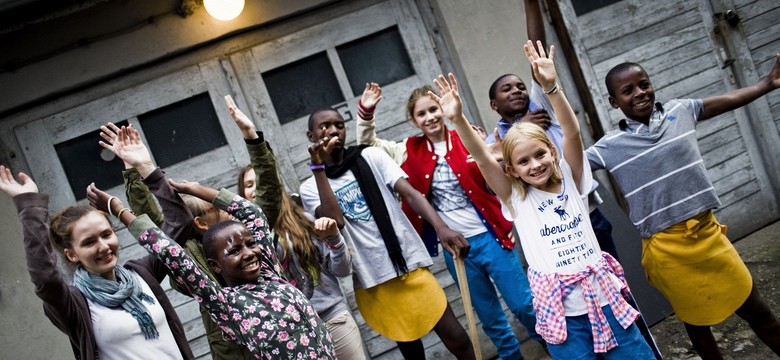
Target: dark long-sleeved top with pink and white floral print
x,y
272,318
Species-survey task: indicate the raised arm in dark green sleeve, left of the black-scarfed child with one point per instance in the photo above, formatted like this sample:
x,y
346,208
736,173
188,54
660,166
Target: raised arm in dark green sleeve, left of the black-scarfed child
x,y
268,184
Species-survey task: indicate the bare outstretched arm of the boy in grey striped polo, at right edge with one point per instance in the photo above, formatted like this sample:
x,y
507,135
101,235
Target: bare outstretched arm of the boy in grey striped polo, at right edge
x,y
716,105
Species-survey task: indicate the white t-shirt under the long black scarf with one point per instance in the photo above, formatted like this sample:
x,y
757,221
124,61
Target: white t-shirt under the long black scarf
x,y
371,263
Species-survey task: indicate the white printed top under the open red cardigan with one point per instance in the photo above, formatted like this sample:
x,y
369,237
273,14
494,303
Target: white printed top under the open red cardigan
x,y
450,200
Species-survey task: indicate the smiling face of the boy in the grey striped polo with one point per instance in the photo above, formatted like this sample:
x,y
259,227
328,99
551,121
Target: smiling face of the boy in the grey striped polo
x,y
632,92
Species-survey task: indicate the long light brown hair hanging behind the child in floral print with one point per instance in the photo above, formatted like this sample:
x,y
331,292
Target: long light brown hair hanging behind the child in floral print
x,y
292,222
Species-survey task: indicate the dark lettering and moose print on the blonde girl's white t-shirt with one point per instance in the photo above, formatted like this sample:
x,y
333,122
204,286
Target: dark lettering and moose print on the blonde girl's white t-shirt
x,y
563,232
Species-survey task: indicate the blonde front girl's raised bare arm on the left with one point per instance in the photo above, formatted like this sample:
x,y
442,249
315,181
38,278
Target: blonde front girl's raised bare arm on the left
x,y
452,108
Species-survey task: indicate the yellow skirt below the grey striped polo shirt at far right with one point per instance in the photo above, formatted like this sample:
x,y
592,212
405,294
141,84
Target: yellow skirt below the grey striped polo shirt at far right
x,y
695,266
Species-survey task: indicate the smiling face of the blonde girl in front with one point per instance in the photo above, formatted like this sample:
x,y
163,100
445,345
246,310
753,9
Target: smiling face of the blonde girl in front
x,y
533,162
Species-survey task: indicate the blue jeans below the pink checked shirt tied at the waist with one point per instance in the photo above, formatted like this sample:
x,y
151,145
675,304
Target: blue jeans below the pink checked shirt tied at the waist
x,y
579,341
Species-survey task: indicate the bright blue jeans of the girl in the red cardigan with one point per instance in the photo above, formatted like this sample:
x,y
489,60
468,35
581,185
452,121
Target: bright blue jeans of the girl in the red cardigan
x,y
488,260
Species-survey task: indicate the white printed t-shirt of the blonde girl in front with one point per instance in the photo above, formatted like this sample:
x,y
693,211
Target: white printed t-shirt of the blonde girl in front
x,y
556,234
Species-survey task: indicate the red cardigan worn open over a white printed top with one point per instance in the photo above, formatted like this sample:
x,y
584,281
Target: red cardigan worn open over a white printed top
x,y
419,166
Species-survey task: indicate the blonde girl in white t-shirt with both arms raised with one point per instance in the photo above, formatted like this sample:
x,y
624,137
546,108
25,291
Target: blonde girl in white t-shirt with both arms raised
x,y
578,289
